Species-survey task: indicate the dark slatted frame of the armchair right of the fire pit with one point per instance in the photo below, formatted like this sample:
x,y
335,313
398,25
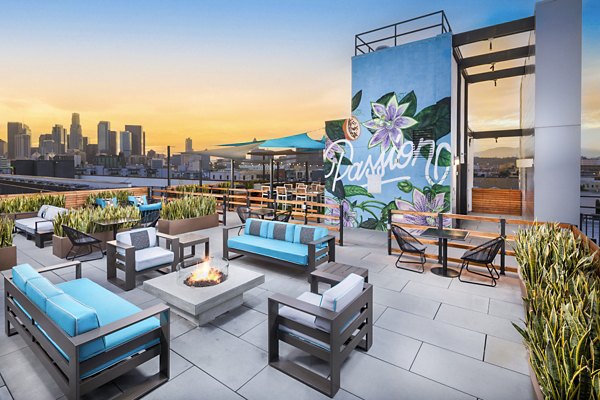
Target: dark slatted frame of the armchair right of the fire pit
x,y
341,345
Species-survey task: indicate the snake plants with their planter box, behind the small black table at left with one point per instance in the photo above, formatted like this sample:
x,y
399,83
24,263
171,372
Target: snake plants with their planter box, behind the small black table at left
x,y
83,220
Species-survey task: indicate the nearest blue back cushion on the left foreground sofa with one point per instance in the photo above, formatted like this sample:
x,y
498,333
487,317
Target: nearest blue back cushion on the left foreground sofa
x,y
75,318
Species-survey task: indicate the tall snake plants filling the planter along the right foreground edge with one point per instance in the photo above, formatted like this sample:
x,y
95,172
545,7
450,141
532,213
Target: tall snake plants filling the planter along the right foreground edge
x,y
562,327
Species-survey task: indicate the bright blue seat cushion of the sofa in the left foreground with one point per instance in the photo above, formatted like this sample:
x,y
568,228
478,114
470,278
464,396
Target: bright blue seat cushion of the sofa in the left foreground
x,y
109,308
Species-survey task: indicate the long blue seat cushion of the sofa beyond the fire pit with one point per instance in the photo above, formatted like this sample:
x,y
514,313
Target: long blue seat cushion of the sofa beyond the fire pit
x,y
296,253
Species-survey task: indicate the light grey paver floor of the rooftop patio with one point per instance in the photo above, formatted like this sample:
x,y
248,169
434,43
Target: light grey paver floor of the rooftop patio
x,y
434,337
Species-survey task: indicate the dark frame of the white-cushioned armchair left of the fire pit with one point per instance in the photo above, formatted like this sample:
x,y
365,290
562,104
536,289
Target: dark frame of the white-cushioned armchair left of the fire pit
x,y
126,262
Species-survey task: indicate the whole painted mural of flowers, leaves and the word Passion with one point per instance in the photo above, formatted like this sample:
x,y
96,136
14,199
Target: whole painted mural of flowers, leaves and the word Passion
x,y
394,118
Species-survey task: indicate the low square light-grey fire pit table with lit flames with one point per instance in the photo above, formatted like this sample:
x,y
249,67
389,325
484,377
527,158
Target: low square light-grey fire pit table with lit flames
x,y
201,290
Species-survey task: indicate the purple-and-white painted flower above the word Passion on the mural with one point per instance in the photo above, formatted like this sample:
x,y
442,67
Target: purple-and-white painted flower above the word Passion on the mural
x,y
387,124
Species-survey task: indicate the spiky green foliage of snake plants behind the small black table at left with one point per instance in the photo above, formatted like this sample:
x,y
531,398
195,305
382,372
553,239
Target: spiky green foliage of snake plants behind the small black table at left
x,y
84,219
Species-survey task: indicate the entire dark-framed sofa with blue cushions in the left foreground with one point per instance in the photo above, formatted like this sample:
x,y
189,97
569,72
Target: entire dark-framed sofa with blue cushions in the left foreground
x,y
83,334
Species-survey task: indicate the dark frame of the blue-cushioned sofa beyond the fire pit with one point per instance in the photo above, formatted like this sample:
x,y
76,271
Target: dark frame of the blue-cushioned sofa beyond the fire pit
x,y
313,253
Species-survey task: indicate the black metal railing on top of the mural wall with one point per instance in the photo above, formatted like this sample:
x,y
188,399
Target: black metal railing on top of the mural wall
x,y
395,34
